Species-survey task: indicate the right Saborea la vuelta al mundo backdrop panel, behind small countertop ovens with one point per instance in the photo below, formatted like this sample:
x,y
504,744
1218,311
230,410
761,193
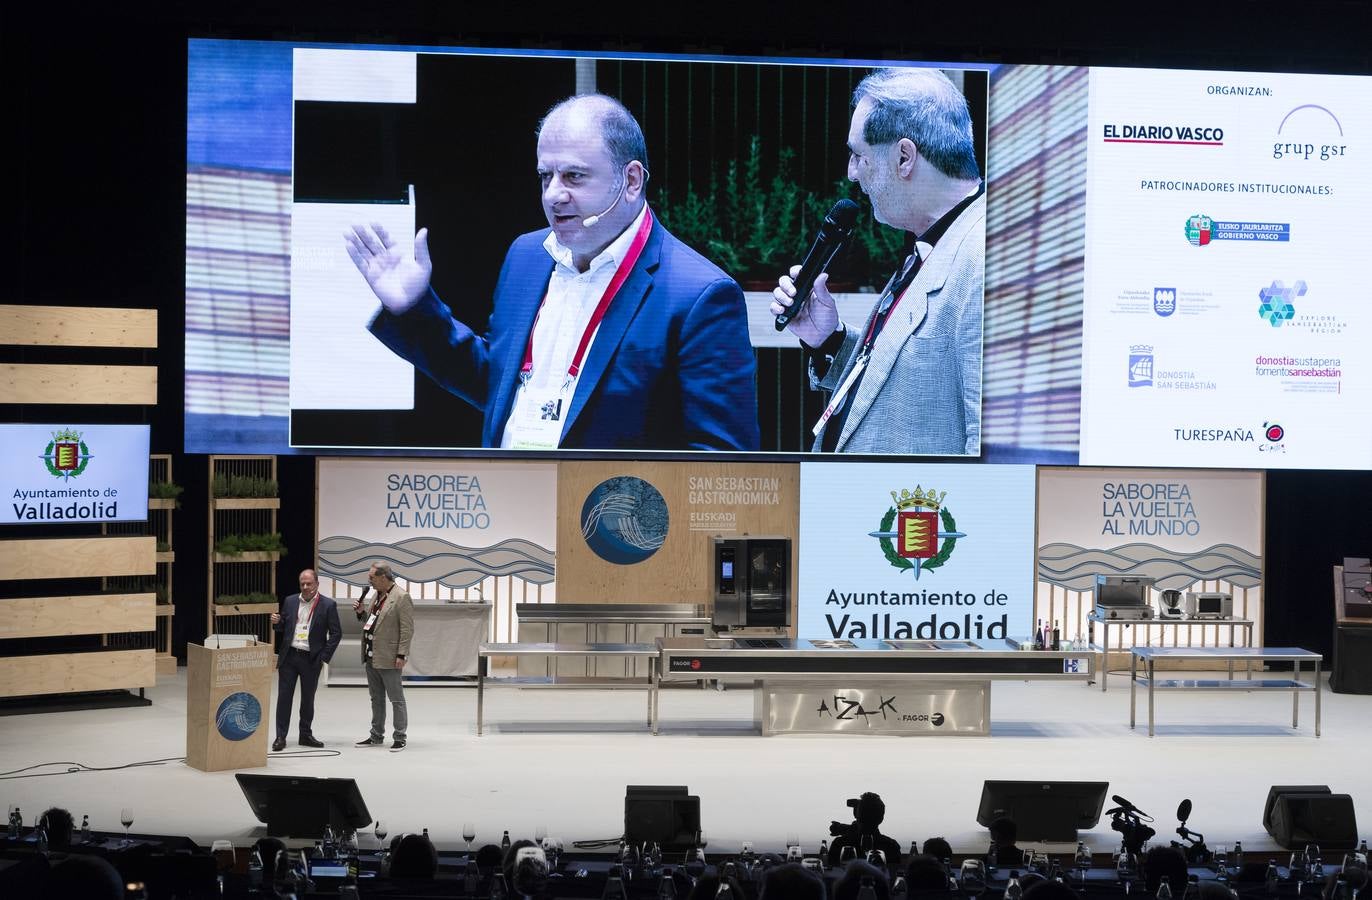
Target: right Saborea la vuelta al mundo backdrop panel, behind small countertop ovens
x,y
1193,530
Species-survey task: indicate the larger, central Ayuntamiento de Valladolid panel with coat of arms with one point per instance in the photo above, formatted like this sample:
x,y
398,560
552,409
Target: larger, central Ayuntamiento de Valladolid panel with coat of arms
x,y
901,551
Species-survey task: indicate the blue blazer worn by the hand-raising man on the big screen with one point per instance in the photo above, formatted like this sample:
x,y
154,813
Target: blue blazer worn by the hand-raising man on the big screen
x,y
670,370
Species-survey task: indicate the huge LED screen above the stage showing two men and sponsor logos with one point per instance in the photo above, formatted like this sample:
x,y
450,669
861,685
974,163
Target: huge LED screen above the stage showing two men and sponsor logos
x,y
1137,268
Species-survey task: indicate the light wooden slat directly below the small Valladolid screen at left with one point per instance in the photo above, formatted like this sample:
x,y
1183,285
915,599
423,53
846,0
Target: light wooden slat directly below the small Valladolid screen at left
x,y
78,558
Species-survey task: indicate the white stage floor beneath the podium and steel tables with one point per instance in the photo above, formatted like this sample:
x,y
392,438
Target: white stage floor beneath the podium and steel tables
x,y
562,759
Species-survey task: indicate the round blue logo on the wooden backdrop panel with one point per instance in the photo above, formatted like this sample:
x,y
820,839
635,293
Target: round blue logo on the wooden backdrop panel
x,y
625,521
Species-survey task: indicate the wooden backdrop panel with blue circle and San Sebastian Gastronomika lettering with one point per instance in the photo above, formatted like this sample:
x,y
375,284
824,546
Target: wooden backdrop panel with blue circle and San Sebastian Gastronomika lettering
x,y
640,533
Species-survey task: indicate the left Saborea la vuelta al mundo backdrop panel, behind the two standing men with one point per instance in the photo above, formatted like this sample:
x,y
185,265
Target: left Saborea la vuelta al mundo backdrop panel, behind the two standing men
x,y
453,530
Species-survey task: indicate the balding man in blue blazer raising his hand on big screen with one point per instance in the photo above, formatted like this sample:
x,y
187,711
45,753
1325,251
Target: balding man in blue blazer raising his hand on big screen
x,y
607,331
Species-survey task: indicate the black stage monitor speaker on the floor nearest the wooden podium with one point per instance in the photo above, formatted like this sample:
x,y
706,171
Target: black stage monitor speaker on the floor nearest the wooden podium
x,y
301,807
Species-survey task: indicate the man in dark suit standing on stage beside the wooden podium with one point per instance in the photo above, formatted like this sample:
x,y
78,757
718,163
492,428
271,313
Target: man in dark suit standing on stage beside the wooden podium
x,y
308,633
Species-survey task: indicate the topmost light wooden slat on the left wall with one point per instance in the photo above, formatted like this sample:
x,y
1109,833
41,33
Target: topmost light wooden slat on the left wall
x,y
79,327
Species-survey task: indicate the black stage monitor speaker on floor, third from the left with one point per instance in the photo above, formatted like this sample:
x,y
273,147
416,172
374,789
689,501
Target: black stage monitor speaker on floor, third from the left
x,y
1043,810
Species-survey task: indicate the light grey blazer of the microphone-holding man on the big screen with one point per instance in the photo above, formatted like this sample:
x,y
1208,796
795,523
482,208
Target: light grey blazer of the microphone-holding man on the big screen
x,y
921,393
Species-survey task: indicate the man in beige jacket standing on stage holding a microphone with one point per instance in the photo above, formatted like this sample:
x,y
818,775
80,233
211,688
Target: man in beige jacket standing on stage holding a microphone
x,y
389,625
